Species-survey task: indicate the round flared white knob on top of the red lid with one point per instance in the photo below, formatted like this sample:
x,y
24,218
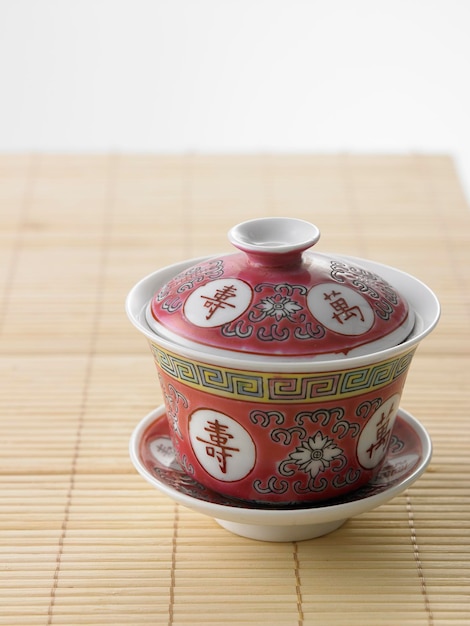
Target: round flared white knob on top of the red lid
x,y
274,241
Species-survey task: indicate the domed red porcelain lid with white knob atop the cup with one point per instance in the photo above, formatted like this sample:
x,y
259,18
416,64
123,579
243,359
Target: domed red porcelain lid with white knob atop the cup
x,y
275,298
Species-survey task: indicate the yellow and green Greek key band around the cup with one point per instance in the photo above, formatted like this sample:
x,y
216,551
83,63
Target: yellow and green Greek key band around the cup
x,y
261,387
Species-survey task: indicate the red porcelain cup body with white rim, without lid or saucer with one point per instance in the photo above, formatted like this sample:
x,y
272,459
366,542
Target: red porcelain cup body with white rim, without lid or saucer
x,y
282,431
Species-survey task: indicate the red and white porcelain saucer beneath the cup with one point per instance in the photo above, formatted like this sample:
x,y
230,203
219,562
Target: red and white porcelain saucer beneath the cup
x,y
152,454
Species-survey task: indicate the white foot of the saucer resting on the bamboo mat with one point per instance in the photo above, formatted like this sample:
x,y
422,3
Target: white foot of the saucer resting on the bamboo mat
x,y
281,533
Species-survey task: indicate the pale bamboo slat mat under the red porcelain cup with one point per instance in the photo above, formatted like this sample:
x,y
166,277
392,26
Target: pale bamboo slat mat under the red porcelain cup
x,y
83,539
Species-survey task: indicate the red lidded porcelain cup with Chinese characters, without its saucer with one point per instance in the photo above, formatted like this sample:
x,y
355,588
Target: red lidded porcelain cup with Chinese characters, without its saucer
x,y
281,368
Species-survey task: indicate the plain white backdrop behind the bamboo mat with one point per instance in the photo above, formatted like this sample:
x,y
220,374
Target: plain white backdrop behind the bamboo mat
x,y
236,75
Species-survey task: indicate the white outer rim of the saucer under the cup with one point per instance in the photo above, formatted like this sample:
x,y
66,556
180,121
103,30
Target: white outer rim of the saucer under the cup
x,y
278,516
